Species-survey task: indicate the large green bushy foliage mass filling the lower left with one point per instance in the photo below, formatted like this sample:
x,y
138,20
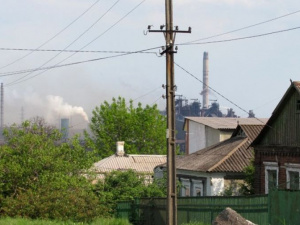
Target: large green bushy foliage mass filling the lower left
x,y
42,178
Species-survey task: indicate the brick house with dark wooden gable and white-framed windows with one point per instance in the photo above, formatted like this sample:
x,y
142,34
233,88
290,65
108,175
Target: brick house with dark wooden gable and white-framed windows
x,y
277,147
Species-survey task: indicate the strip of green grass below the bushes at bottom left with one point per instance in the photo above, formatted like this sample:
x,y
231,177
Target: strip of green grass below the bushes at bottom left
x,y
21,221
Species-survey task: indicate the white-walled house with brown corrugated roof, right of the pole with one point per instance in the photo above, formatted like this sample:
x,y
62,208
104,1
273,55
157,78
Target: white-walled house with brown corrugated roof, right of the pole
x,y
209,171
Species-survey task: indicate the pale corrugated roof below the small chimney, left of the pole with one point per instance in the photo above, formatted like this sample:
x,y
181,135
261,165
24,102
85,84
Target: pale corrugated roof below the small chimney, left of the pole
x,y
139,163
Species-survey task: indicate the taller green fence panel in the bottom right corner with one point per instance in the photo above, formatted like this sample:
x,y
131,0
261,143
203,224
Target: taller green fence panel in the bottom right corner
x,y
284,207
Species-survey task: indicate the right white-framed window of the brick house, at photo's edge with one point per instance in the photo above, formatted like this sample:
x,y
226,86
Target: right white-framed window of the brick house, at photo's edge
x,y
292,176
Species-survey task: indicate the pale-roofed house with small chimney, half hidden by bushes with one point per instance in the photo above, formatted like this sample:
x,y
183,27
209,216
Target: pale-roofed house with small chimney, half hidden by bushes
x,y
143,164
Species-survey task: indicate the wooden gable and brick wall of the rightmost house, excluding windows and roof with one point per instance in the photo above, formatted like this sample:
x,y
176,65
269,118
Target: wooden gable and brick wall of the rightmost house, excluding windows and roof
x,y
280,144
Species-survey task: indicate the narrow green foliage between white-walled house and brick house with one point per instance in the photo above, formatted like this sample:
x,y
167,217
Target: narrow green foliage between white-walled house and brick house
x,y
247,188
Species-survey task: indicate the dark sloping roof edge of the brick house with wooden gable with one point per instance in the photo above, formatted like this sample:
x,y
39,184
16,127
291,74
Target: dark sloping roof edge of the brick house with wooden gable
x,y
295,85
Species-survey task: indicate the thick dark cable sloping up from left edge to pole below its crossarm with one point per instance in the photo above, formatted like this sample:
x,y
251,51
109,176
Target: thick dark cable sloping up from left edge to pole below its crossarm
x,y
71,64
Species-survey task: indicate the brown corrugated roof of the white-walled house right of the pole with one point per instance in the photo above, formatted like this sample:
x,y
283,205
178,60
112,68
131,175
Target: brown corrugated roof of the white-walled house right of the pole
x,y
231,155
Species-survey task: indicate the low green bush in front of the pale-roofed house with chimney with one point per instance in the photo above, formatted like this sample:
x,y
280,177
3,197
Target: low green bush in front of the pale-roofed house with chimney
x,y
125,186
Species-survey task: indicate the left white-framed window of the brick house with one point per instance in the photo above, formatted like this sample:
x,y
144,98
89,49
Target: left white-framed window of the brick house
x,y
271,176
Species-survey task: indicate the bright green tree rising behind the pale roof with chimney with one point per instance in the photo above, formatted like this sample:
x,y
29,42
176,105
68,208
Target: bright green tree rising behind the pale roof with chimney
x,y
142,129
